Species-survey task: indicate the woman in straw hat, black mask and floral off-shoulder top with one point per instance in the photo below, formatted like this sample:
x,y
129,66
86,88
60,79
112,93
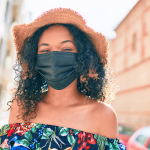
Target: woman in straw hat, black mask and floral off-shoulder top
x,y
62,87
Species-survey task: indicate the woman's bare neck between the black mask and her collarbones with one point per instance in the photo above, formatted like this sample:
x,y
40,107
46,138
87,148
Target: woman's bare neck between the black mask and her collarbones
x,y
65,97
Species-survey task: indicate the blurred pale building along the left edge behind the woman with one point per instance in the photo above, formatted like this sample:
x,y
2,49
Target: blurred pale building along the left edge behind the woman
x,y
11,12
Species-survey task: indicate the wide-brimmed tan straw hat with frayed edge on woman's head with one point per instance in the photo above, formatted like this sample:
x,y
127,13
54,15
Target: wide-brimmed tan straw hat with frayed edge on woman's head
x,y
61,15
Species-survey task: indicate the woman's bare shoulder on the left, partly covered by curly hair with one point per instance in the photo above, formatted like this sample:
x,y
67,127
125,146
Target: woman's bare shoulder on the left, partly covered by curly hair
x,y
14,113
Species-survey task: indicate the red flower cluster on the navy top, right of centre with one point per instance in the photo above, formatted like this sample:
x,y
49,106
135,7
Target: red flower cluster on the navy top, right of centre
x,y
84,139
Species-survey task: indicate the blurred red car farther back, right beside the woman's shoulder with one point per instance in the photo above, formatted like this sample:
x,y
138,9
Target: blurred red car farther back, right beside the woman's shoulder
x,y
125,131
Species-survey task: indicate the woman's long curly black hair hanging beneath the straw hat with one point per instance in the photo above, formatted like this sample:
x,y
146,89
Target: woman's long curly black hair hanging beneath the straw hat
x,y
31,85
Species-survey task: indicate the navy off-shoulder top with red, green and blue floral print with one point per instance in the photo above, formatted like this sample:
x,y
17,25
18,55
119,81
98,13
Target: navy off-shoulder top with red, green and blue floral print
x,y
26,136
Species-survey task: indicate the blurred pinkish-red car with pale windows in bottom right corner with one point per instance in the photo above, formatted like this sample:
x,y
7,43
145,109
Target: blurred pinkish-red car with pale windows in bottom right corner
x,y
140,140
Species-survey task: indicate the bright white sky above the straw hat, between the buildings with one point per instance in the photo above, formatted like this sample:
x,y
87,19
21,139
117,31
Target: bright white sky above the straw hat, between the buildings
x,y
101,15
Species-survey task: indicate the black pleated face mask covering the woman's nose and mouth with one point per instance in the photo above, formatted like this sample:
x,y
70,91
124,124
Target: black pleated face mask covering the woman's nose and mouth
x,y
59,69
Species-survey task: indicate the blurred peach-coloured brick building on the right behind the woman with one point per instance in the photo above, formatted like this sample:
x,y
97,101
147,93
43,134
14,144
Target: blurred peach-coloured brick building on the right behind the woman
x,y
130,58
